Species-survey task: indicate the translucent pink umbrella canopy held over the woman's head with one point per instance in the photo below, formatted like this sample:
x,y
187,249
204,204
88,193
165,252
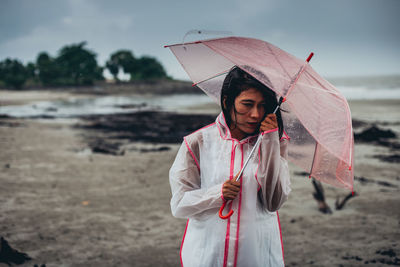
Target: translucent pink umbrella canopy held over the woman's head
x,y
316,116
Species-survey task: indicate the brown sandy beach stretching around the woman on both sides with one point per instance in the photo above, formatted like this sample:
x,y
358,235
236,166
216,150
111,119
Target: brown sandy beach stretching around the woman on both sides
x,y
64,204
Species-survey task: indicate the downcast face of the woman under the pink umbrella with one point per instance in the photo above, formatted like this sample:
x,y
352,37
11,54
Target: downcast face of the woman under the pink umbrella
x,y
250,110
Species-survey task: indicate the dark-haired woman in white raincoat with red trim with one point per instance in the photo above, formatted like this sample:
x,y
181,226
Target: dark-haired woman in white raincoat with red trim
x,y
202,178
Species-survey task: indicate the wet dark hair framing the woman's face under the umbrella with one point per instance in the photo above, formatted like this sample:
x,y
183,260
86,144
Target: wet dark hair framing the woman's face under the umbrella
x,y
238,81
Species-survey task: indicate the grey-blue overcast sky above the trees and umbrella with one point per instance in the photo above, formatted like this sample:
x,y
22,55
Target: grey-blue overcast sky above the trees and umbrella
x,y
352,37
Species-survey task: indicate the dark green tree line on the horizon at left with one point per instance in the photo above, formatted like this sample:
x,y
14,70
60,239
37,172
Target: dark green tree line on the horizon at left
x,y
76,65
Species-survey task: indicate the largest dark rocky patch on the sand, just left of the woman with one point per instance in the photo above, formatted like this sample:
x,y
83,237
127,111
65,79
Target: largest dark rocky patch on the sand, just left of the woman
x,y
105,132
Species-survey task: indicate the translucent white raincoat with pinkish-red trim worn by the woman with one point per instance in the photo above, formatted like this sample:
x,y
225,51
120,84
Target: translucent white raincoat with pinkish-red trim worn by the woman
x,y
251,236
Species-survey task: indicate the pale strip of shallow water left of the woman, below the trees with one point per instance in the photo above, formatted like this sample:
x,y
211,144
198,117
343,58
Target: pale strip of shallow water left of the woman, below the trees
x,y
75,107
